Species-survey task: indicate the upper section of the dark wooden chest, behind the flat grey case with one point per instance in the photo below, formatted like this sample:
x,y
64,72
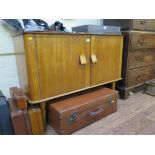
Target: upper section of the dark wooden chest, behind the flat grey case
x,y
132,24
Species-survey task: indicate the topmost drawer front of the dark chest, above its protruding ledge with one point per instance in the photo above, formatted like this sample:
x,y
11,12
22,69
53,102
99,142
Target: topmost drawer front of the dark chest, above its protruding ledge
x,y
144,24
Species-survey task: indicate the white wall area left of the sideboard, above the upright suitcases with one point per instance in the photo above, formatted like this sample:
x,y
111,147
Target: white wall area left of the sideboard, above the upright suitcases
x,y
8,70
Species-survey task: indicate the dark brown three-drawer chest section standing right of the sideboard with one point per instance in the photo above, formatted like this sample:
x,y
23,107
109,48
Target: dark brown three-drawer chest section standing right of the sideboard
x,y
138,61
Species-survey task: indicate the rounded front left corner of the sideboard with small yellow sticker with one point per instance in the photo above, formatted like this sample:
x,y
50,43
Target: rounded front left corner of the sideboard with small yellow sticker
x,y
32,67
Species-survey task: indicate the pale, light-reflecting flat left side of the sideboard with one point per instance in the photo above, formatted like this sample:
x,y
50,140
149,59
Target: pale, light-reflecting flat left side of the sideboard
x,y
21,62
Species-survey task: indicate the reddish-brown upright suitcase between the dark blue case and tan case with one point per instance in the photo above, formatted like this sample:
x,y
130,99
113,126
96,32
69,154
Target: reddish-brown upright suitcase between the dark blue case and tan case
x,y
20,120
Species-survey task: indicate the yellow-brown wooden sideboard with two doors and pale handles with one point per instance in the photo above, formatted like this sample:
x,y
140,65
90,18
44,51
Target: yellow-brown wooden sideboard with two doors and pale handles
x,y
55,64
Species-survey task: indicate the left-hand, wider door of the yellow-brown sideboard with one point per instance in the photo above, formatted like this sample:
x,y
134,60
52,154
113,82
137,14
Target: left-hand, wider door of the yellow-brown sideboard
x,y
59,67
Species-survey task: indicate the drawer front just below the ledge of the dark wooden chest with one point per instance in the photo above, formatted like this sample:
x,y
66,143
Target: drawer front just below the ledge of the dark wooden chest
x,y
142,40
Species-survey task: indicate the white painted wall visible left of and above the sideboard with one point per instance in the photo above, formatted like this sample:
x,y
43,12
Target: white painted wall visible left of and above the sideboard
x,y
8,69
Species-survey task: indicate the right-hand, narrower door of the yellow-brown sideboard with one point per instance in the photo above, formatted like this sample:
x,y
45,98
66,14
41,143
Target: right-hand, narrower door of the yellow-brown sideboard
x,y
106,59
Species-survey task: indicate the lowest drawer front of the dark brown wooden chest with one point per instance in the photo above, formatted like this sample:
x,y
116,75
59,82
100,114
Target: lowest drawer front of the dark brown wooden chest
x,y
141,75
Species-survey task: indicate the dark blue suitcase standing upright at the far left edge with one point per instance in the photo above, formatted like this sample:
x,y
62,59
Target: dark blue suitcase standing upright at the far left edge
x,y
6,127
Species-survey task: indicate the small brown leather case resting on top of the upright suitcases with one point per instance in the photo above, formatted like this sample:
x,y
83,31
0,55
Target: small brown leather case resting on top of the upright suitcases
x,y
19,97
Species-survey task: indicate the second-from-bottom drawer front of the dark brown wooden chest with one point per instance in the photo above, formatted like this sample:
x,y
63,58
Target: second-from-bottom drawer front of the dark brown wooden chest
x,y
141,58
